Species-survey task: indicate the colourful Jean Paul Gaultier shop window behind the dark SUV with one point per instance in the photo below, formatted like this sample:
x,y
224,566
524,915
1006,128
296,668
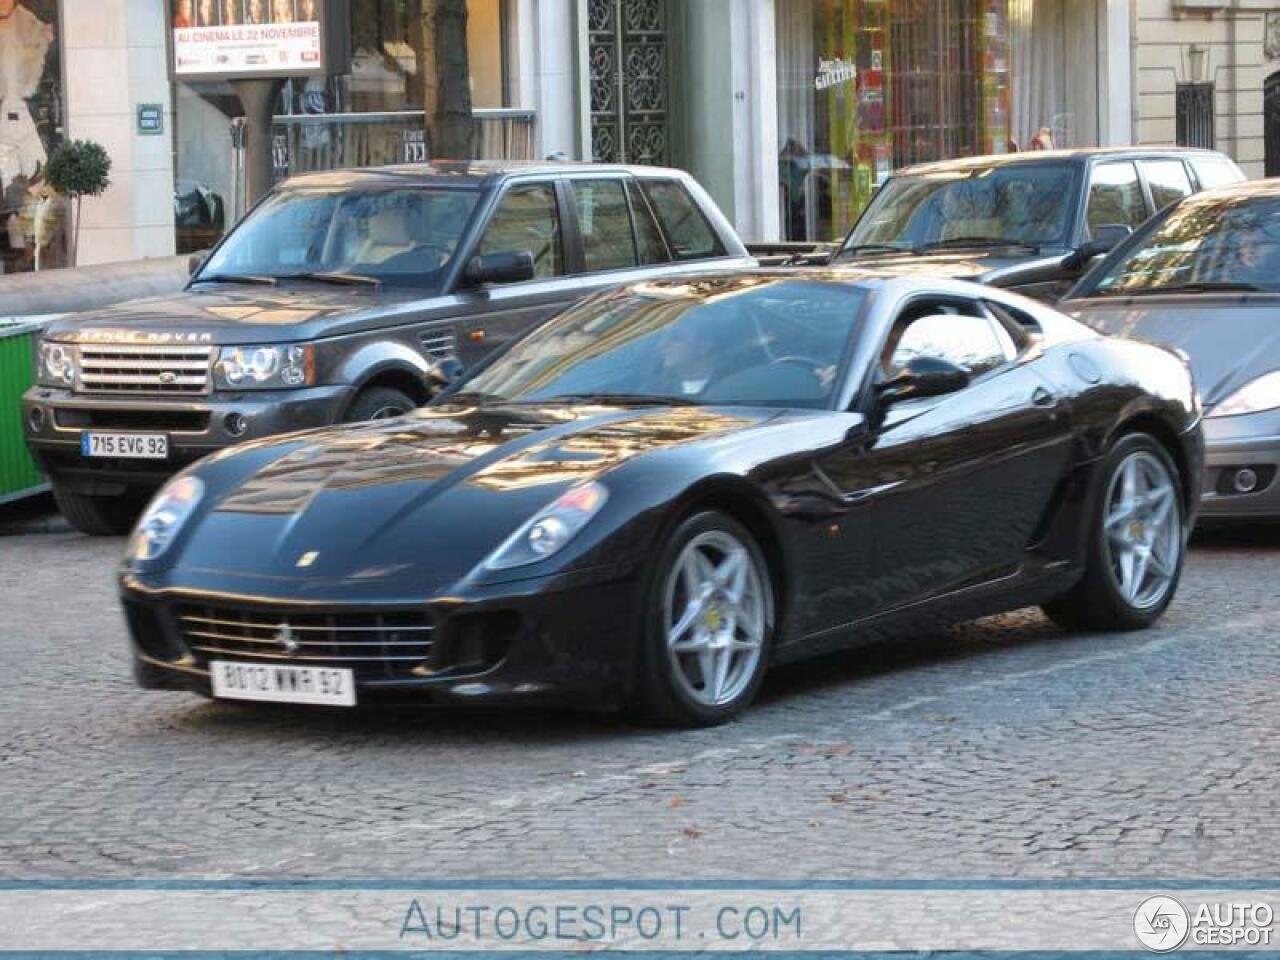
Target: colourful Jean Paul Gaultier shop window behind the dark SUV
x,y
870,86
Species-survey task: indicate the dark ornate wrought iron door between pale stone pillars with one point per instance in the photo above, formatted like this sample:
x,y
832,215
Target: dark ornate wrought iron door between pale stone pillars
x,y
628,61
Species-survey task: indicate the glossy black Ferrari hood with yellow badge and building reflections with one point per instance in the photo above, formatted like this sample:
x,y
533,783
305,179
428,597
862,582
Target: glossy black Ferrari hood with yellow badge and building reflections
x,y
427,496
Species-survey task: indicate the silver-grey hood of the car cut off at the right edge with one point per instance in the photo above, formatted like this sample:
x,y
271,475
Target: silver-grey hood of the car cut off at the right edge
x,y
1229,340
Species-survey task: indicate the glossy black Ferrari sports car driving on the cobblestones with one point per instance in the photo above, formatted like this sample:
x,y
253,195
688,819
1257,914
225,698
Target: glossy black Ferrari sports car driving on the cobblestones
x,y
668,488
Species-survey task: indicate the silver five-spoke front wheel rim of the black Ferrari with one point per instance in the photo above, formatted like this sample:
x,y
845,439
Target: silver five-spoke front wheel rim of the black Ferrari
x,y
717,611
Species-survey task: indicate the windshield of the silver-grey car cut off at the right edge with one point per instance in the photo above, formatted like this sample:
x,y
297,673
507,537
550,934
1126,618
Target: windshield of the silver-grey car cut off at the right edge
x,y
1205,243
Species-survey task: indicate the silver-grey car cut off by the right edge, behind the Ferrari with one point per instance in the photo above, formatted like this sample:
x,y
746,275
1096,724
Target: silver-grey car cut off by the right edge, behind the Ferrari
x,y
1204,277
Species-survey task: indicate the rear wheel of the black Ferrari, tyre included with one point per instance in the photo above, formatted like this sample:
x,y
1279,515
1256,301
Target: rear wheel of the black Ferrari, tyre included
x,y
1137,543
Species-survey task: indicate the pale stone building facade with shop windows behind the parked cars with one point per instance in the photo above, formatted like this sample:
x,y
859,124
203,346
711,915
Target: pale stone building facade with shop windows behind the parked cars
x,y
790,112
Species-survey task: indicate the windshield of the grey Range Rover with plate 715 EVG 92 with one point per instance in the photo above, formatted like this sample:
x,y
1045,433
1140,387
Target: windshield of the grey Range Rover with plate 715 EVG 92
x,y
399,237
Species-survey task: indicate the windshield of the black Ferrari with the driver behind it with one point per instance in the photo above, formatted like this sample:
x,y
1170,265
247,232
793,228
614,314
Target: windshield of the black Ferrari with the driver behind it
x,y
752,341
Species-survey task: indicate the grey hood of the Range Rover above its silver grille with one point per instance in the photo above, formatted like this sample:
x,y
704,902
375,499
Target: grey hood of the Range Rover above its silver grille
x,y
226,316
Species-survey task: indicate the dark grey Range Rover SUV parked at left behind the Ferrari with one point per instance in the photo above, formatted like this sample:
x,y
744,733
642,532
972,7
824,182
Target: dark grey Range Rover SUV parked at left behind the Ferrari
x,y
345,298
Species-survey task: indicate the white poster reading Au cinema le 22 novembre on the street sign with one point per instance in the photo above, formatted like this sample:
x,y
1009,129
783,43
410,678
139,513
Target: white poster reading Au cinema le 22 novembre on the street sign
x,y
246,38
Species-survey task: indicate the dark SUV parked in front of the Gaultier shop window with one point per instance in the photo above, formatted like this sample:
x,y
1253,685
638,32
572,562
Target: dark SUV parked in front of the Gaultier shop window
x,y
1026,222
